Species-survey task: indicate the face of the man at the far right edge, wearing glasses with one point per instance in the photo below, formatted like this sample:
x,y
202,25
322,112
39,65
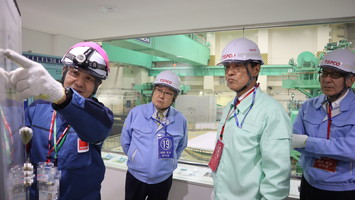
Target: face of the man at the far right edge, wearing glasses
x,y
331,81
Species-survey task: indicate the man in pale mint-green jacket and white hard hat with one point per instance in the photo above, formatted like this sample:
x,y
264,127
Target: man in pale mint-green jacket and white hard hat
x,y
252,155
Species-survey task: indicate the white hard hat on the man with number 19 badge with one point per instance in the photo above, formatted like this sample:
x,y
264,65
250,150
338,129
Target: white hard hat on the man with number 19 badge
x,y
169,79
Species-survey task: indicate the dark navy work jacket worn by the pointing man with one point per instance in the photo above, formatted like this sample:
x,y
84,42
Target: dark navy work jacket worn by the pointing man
x,y
81,172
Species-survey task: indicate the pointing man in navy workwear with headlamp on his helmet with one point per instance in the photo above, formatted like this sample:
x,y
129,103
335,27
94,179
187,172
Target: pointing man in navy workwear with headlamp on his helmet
x,y
68,123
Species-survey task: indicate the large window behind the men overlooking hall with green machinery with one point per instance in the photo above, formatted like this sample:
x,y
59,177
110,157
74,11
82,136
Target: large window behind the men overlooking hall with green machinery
x,y
291,55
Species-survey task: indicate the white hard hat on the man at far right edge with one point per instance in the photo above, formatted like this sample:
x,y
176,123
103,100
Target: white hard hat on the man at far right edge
x,y
341,59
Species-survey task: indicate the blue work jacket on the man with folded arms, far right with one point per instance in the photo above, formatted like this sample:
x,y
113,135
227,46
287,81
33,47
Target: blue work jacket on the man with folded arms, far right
x,y
312,121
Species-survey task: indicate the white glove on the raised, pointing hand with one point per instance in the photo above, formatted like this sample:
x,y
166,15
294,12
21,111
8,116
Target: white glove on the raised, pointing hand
x,y
33,80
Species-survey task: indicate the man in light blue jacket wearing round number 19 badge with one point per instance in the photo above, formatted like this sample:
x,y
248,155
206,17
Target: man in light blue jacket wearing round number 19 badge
x,y
153,137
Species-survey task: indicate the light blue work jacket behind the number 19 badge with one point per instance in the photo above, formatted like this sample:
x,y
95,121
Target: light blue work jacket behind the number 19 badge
x,y
139,141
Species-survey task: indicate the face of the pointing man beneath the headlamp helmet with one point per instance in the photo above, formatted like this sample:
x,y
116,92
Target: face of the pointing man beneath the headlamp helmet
x,y
80,80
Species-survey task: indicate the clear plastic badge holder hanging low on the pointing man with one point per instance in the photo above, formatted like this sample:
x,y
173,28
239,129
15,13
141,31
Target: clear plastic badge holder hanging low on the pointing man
x,y
48,177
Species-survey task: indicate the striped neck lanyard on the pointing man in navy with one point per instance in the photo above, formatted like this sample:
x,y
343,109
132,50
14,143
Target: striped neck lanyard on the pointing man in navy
x,y
56,144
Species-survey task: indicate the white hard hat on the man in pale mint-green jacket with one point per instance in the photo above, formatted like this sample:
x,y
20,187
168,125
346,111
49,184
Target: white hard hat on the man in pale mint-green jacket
x,y
240,50
